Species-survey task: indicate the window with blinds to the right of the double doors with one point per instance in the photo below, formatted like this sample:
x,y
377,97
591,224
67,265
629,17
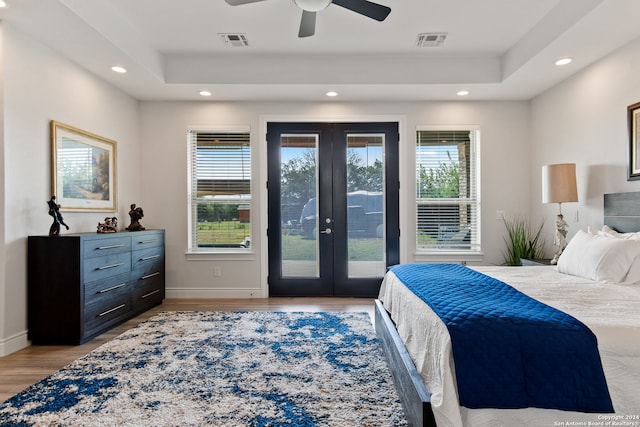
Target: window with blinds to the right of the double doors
x,y
447,202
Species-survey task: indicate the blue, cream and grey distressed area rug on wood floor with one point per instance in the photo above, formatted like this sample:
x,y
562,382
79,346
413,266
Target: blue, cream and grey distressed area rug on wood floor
x,y
222,369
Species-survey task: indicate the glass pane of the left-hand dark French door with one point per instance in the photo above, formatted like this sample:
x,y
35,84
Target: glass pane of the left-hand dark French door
x,y
299,210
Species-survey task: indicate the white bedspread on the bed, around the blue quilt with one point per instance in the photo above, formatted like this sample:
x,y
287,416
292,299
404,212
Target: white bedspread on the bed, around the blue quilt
x,y
611,311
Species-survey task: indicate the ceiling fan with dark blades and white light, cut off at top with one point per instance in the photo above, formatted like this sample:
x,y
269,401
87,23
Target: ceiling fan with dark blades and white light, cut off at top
x,y
310,7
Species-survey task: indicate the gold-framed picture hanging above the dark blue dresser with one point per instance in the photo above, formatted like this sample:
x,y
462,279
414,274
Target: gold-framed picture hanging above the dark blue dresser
x,y
83,169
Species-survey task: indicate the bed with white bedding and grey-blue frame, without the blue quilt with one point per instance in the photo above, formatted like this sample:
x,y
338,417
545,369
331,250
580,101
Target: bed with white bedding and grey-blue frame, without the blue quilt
x,y
609,306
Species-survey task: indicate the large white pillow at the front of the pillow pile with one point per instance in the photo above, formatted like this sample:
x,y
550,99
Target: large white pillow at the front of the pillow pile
x,y
600,258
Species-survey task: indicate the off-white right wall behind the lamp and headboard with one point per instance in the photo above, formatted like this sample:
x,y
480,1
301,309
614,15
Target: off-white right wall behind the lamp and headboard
x,y
584,121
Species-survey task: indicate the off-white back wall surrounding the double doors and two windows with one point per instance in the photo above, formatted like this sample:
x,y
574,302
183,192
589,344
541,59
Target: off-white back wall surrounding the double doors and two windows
x,y
505,175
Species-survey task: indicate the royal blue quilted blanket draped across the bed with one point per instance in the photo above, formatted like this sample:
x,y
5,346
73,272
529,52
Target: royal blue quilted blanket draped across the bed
x,y
510,350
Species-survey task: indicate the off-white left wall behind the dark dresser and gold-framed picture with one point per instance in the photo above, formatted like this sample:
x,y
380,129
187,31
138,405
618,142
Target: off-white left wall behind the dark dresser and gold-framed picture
x,y
40,86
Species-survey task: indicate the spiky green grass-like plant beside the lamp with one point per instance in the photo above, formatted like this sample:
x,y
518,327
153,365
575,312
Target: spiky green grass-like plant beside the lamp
x,y
522,241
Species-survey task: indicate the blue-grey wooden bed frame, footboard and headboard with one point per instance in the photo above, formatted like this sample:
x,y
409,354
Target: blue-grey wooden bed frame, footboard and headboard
x,y
621,212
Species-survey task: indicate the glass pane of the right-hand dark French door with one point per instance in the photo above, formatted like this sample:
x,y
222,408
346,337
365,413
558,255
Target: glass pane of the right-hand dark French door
x,y
365,206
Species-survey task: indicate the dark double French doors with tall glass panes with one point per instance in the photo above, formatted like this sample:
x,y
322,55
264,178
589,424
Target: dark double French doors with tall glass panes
x,y
333,207
